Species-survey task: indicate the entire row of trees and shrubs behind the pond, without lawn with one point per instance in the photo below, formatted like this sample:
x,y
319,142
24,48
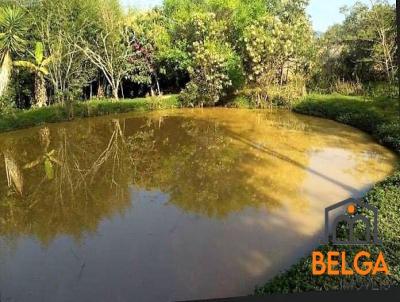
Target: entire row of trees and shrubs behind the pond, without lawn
x,y
212,52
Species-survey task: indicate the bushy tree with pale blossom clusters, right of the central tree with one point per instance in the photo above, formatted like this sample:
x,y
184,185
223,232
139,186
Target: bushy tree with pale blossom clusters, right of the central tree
x,y
276,45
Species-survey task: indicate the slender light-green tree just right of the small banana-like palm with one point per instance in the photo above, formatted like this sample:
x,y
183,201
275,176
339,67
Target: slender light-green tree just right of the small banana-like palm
x,y
60,26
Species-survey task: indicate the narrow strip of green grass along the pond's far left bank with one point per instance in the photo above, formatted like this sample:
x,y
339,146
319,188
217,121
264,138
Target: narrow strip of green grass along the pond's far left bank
x,y
58,113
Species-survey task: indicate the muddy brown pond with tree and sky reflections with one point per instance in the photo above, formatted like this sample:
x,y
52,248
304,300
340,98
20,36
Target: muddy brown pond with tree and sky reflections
x,y
171,205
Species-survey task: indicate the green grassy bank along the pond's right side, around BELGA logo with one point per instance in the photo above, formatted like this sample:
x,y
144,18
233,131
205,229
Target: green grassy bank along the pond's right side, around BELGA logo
x,y
380,118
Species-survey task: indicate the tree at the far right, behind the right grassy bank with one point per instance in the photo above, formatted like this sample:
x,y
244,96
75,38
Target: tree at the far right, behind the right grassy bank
x,y
362,48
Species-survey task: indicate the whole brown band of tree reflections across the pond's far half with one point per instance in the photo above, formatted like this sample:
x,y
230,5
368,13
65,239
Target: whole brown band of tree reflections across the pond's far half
x,y
66,180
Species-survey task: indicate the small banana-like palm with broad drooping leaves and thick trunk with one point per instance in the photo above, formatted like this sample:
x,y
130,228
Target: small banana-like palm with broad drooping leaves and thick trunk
x,y
40,71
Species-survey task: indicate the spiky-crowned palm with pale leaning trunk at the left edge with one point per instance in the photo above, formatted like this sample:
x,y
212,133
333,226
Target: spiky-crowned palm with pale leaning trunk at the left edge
x,y
12,31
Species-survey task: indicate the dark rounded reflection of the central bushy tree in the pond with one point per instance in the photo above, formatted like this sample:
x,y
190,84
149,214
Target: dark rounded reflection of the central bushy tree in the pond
x,y
198,166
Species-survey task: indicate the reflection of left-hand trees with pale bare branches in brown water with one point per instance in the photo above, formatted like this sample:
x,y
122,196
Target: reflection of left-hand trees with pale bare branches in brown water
x,y
75,193
